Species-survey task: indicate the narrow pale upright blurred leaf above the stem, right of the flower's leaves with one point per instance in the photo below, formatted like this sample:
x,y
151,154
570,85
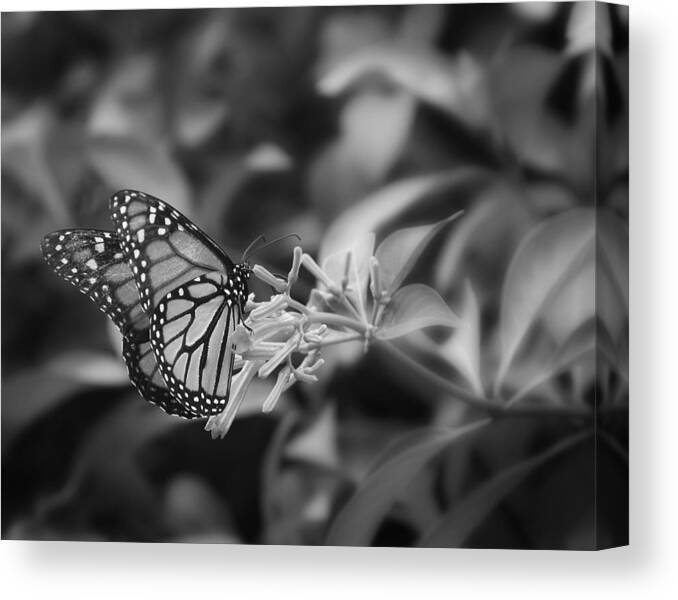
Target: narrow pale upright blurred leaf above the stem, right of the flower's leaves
x,y
462,349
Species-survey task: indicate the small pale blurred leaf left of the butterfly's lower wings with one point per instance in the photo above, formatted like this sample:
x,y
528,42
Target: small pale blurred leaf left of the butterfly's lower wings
x,y
94,368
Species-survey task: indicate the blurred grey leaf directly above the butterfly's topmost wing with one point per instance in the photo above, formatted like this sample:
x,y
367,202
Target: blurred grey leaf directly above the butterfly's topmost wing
x,y
124,162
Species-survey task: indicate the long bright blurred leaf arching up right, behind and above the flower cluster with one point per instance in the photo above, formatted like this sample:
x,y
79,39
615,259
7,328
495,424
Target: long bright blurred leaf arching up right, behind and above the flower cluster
x,y
389,202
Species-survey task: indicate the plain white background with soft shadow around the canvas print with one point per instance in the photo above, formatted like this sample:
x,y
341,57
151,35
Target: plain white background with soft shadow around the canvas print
x,y
648,569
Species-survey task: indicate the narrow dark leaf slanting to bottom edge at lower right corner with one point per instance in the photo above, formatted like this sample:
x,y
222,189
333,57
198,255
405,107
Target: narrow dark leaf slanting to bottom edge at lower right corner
x,y
455,527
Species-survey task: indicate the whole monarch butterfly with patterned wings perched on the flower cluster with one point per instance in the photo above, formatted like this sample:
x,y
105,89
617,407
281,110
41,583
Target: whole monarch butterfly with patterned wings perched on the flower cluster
x,y
174,295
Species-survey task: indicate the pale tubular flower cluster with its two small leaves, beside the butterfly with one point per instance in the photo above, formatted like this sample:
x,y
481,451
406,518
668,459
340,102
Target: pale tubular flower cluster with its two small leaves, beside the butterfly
x,y
281,329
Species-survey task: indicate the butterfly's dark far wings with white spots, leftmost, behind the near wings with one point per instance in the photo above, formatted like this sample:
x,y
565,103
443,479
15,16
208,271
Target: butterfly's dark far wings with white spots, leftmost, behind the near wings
x,y
93,262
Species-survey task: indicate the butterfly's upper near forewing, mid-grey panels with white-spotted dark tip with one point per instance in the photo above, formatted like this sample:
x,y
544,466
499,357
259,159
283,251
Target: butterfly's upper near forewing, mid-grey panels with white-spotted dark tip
x,y
163,247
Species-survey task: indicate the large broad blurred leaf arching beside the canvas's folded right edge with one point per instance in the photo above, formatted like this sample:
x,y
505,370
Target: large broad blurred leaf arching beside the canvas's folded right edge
x,y
555,253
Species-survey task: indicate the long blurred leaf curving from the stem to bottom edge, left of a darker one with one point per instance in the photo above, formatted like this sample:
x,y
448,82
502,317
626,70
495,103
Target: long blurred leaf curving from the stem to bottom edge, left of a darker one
x,y
357,522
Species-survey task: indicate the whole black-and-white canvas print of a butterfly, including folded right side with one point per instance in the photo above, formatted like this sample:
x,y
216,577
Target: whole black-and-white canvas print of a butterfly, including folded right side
x,y
340,275
